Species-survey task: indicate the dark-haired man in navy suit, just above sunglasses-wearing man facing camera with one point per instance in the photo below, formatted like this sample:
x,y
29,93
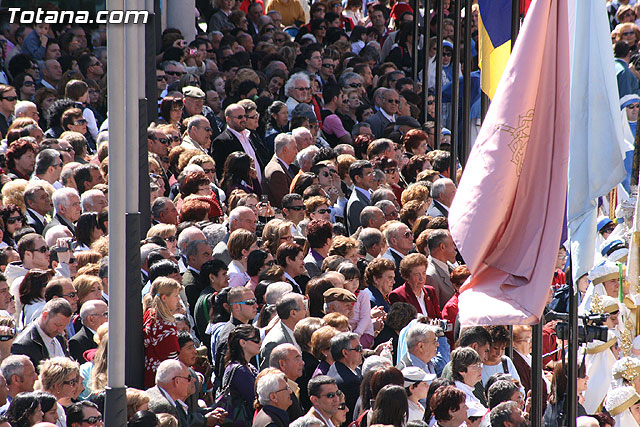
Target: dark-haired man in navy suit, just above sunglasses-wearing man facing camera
x,y
346,351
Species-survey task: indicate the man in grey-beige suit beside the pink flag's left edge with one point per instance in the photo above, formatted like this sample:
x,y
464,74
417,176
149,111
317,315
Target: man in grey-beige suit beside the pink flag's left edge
x,y
442,252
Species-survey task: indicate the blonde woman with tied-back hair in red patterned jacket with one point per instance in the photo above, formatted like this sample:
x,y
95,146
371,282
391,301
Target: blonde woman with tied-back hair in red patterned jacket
x,y
160,332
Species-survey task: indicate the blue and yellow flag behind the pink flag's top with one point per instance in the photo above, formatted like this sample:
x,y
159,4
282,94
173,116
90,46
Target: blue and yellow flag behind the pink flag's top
x,y
494,34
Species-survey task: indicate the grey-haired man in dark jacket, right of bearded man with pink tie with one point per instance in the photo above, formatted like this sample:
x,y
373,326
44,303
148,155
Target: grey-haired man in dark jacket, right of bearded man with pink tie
x,y
278,174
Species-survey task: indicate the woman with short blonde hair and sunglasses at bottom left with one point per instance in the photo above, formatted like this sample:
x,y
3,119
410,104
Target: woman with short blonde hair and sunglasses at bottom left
x,y
60,376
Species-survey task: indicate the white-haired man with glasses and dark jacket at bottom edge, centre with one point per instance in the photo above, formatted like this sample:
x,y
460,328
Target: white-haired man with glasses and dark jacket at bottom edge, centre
x,y
275,396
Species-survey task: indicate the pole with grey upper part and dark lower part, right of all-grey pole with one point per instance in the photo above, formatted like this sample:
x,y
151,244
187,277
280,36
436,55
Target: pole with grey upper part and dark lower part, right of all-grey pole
x,y
134,88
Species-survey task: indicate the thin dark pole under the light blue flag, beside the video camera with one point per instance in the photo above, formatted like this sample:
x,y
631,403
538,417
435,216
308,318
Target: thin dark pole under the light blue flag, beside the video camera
x,y
573,349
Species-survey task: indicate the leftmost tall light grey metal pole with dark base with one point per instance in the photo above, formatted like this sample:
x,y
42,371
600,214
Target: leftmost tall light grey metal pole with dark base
x,y
115,400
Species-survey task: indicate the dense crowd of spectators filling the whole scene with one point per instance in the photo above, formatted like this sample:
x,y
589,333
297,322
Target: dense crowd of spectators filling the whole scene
x,y
298,268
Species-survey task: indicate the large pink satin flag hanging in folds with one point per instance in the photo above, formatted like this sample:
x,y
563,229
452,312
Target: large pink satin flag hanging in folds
x,y
507,215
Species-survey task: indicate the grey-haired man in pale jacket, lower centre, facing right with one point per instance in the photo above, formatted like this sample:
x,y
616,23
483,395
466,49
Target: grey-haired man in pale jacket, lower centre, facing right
x,y
291,309
